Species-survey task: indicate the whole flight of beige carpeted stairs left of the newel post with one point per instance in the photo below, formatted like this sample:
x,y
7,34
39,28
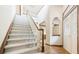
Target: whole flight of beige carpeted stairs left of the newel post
x,y
21,40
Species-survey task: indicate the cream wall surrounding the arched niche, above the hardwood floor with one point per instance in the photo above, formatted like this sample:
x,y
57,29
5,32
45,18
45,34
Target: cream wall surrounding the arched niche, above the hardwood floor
x,y
54,11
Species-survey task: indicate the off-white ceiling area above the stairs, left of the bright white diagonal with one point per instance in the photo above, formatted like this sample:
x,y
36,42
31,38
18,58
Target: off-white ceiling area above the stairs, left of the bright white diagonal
x,y
33,9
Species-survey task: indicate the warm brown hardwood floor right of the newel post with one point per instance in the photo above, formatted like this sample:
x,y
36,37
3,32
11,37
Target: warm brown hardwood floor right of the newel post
x,y
55,50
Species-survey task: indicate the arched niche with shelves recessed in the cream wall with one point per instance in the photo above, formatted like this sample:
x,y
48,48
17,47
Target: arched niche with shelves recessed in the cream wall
x,y
56,26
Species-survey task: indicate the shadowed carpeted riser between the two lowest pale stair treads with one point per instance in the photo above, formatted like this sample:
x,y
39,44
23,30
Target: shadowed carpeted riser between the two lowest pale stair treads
x,y
20,47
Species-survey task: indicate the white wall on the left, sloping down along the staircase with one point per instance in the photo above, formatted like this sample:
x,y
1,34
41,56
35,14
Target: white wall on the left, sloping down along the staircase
x,y
7,14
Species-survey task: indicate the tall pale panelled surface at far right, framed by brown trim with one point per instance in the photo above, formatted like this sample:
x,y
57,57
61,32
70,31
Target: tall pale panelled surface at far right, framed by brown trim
x,y
70,32
